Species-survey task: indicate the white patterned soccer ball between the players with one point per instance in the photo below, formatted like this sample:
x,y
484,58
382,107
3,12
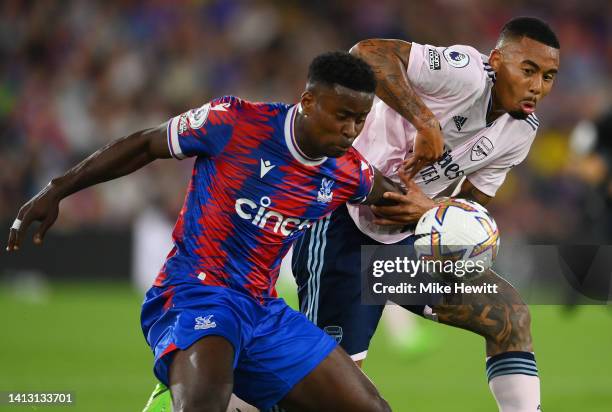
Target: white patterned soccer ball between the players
x,y
458,238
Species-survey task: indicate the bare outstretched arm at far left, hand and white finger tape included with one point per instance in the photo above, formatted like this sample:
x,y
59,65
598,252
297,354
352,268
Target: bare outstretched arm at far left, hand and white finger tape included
x,y
118,158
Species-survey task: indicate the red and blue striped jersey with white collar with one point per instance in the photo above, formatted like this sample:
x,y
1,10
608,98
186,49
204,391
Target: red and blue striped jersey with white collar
x,y
252,193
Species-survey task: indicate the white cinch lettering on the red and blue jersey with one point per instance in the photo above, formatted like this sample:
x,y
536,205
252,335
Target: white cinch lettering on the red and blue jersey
x,y
260,216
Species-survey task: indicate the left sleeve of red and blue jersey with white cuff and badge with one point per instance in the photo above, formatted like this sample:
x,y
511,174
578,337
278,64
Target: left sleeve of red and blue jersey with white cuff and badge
x,y
203,131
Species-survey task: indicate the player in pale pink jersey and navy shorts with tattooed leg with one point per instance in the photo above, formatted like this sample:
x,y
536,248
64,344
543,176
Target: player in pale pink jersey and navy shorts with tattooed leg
x,y
482,110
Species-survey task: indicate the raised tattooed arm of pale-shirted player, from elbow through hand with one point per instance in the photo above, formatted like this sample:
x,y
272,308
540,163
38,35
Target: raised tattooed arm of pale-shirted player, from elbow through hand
x,y
389,60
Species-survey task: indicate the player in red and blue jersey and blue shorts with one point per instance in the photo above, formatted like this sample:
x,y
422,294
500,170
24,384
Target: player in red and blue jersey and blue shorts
x,y
263,173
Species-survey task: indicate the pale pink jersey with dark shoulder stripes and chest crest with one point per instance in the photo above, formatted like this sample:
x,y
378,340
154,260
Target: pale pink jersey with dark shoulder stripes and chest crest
x,y
455,83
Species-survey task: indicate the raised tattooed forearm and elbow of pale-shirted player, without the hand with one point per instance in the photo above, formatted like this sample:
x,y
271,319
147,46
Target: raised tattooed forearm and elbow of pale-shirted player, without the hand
x,y
389,60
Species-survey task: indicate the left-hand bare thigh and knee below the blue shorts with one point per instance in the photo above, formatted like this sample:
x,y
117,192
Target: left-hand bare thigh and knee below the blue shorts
x,y
201,376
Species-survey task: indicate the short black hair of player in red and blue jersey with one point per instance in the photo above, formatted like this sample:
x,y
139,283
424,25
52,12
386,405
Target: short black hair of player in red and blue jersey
x,y
342,68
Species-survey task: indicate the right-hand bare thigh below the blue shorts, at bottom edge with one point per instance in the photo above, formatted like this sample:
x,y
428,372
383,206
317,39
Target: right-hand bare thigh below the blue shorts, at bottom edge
x,y
336,384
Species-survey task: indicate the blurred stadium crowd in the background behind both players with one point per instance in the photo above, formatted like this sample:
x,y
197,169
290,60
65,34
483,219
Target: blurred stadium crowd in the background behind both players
x,y
76,74
